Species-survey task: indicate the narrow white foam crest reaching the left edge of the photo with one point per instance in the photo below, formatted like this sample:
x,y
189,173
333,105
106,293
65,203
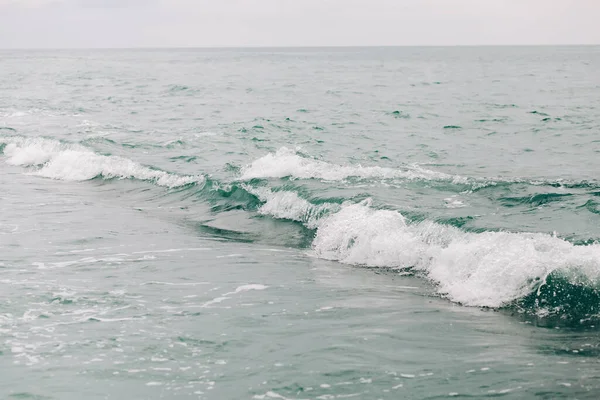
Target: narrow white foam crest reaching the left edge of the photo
x,y
72,162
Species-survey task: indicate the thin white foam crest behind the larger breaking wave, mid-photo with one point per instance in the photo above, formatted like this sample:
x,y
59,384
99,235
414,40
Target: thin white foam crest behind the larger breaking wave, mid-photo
x,y
287,163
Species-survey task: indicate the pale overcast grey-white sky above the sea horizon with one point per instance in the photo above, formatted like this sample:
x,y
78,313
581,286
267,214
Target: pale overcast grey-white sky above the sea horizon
x,y
225,23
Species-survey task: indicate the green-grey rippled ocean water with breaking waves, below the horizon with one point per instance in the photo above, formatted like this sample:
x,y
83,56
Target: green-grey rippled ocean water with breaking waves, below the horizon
x,y
370,223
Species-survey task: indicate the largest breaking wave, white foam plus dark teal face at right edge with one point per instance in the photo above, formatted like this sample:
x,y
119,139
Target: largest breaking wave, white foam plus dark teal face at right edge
x,y
486,269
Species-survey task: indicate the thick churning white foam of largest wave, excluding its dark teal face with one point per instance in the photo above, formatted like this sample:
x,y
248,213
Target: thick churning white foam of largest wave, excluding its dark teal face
x,y
478,269
